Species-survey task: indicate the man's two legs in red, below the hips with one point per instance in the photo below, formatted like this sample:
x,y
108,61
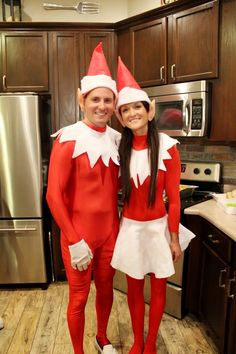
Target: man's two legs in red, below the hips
x,y
79,286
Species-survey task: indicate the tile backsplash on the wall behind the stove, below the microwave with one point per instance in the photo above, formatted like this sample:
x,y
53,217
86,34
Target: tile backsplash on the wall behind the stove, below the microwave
x,y
226,155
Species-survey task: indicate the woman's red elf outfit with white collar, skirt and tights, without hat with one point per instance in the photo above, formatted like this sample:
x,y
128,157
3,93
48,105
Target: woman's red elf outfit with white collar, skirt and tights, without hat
x,y
142,246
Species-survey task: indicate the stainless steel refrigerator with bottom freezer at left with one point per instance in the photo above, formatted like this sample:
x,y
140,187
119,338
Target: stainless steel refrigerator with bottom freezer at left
x,y
22,251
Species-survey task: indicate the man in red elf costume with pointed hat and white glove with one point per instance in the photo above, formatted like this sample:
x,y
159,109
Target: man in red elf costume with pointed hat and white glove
x,y
82,196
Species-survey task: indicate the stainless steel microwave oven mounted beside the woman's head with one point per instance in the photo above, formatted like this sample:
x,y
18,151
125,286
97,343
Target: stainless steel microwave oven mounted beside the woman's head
x,y
182,109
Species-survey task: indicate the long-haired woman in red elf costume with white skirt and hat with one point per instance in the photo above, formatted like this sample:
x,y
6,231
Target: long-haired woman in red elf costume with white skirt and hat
x,y
148,240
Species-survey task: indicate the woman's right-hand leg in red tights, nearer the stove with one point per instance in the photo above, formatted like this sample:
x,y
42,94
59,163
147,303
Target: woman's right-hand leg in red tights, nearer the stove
x,y
156,310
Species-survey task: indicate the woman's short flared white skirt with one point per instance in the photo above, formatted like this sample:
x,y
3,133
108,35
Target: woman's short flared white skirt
x,y
142,247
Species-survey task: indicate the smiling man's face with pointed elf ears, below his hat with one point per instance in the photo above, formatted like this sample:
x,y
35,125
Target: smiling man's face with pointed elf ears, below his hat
x,y
98,106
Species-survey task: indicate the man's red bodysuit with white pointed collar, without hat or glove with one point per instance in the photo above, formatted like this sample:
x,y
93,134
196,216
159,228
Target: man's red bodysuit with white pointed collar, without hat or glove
x,y
82,196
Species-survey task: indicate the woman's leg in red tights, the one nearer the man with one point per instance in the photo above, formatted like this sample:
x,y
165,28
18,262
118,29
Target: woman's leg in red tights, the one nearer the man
x,y
137,311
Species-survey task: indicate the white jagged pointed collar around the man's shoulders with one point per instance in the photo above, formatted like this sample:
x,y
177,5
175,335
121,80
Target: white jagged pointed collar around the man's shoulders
x,y
95,143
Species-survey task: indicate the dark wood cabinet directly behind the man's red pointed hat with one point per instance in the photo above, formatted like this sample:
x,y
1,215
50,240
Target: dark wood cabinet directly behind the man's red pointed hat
x,y
70,54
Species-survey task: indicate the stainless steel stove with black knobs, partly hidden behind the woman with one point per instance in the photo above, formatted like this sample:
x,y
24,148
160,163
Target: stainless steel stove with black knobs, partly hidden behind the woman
x,y
207,177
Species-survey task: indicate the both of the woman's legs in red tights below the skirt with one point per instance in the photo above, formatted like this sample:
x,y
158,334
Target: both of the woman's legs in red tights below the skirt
x,y
137,311
